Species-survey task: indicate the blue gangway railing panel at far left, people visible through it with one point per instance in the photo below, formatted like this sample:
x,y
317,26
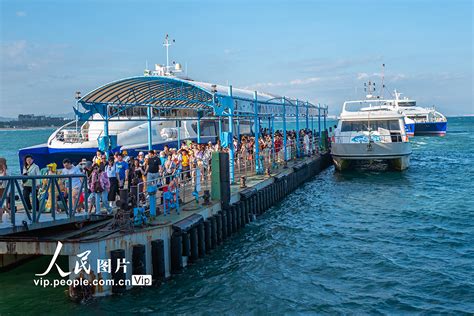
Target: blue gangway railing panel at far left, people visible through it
x,y
37,195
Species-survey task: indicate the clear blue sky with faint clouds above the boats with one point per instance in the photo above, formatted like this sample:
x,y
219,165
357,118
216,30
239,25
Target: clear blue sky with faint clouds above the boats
x,y
319,51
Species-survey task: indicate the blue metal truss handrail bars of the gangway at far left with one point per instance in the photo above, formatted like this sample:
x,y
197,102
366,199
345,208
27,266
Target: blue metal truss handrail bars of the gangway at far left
x,y
52,191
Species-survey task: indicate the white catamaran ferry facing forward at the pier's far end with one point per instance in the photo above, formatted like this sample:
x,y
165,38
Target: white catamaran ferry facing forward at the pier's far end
x,y
375,132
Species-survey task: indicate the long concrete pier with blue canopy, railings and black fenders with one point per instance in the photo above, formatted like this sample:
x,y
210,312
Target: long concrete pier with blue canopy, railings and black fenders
x,y
153,231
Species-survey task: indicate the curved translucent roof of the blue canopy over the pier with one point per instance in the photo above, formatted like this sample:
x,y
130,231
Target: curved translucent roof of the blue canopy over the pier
x,y
176,93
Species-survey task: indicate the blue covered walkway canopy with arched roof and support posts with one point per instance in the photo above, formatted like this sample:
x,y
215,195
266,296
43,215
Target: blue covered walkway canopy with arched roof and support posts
x,y
161,94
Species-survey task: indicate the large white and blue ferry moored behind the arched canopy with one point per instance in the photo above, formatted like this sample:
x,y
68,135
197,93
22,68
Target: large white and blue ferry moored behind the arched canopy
x,y
128,129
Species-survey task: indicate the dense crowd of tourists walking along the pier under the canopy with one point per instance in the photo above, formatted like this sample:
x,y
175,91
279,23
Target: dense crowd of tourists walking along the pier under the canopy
x,y
190,163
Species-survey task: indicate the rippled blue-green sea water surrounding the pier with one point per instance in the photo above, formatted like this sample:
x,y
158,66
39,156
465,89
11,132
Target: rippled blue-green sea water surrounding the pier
x,y
361,242
